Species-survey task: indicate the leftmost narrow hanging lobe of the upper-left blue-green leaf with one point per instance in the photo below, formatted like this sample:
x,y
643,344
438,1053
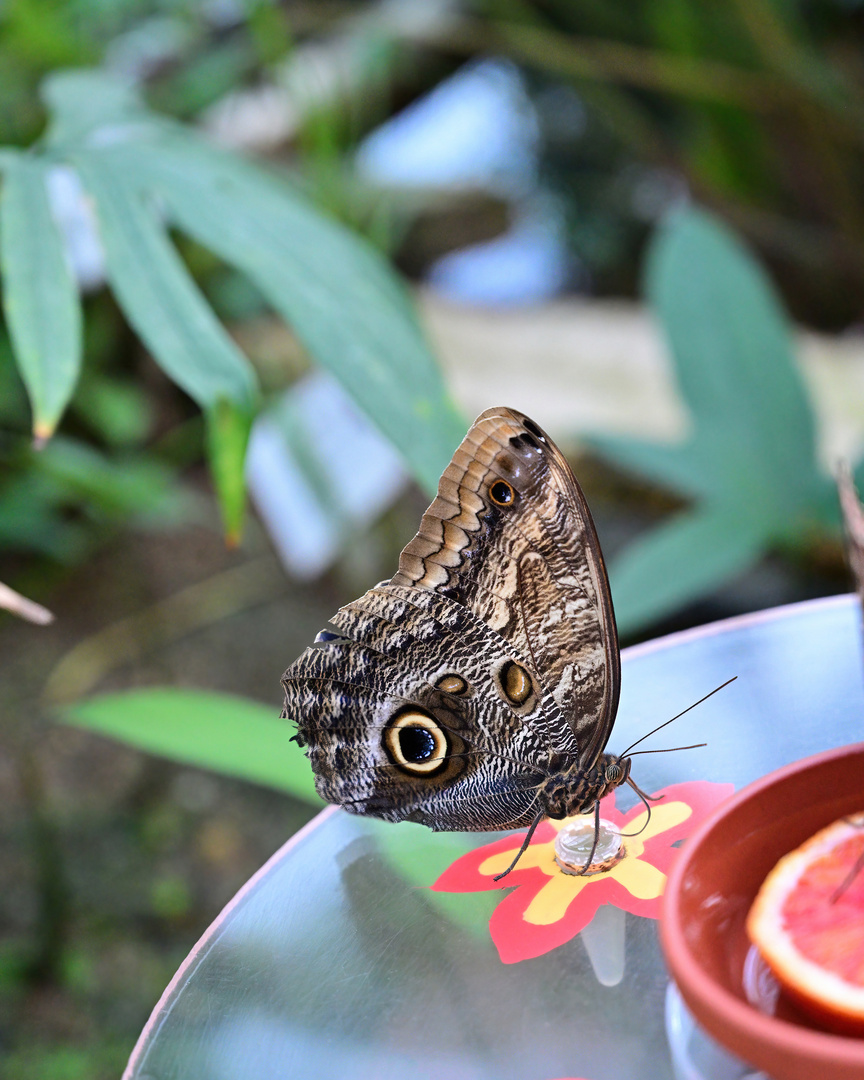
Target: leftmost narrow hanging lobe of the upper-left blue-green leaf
x,y
40,298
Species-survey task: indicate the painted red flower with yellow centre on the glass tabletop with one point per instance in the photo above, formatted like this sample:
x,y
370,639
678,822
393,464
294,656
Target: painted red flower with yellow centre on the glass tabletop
x,y
548,908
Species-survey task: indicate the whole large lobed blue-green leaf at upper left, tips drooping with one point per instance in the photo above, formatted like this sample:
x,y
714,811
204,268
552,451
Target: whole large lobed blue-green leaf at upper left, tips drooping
x,y
340,296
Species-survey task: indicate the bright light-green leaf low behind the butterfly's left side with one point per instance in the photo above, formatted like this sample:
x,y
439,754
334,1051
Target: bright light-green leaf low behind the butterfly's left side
x,y
233,736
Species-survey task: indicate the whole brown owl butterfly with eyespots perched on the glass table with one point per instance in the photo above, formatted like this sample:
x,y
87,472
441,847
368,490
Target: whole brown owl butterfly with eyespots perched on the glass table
x,y
476,690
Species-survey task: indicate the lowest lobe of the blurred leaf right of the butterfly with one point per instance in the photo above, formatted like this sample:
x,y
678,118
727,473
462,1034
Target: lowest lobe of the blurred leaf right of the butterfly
x,y
686,558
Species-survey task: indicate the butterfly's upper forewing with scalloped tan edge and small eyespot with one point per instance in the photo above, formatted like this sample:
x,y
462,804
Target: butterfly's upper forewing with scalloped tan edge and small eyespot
x,y
532,571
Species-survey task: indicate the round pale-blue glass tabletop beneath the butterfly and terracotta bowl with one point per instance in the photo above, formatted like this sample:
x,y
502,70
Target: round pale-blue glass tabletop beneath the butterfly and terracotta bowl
x,y
335,961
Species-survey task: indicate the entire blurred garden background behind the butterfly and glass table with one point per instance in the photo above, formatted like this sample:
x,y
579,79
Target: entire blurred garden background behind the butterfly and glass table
x,y
306,245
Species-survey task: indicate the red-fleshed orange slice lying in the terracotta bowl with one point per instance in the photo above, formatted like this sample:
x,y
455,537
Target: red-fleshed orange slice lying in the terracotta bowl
x,y
808,924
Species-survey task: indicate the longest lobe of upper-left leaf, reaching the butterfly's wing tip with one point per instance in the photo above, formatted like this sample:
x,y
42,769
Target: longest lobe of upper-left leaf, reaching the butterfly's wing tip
x,y
337,293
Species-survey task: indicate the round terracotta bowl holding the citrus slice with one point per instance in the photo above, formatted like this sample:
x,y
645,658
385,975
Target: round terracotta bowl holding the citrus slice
x,y
709,895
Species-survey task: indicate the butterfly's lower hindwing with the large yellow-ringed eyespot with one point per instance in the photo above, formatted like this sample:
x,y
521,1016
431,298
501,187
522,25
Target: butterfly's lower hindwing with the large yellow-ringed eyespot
x,y
394,645
